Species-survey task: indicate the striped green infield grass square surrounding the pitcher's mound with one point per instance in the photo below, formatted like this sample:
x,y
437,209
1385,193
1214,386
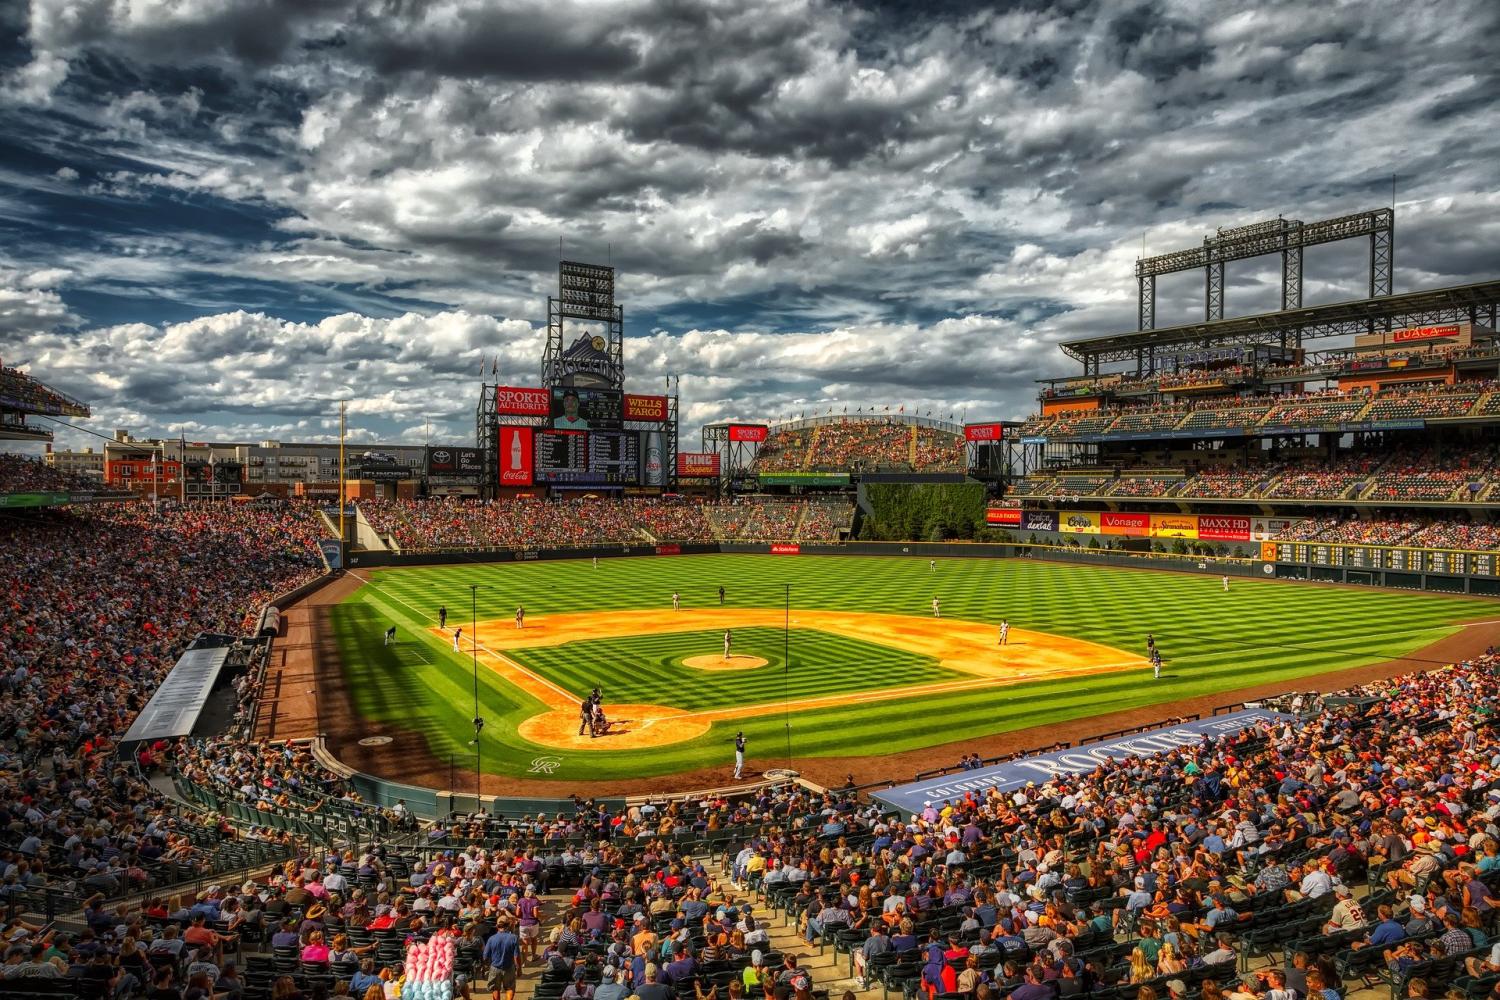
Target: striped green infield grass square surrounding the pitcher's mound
x,y
649,669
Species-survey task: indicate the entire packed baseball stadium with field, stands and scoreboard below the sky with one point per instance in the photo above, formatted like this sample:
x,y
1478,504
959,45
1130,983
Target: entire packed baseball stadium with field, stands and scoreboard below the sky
x,y
1181,687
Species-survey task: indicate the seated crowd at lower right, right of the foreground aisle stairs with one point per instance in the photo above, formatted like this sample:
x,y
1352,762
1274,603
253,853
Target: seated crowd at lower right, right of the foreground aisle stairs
x,y
1165,870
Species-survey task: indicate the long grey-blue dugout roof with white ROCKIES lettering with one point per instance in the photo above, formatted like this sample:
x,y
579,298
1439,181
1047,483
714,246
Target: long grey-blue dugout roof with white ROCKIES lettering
x,y
911,798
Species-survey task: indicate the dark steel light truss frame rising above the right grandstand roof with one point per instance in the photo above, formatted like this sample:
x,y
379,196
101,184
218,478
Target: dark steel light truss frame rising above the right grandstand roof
x,y
1288,238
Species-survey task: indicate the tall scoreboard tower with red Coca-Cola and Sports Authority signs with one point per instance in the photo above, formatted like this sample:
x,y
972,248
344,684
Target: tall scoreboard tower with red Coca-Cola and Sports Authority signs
x,y
580,431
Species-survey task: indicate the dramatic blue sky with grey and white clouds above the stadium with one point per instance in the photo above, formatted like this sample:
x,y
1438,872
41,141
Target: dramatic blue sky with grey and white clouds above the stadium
x,y
218,218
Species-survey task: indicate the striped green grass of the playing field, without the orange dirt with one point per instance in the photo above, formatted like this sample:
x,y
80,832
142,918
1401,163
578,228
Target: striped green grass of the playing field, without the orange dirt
x,y
1211,641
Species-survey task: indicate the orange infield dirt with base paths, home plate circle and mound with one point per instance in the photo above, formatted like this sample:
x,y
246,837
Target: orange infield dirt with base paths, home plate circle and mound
x,y
964,647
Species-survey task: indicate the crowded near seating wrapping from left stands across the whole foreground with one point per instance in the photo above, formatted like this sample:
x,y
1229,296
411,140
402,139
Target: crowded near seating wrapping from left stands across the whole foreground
x,y
1361,842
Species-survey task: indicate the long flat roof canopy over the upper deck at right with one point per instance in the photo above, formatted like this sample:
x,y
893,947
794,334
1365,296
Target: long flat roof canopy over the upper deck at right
x,y
1462,304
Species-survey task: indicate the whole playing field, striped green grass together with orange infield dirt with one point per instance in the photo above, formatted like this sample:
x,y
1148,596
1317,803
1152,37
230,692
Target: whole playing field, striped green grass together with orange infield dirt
x,y
847,644
